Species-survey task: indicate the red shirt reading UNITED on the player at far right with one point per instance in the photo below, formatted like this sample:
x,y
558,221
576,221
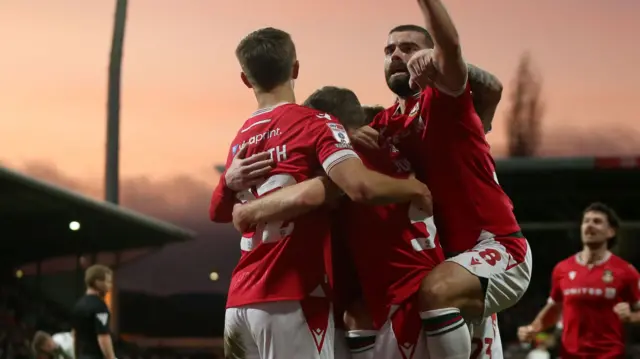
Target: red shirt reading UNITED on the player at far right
x,y
588,294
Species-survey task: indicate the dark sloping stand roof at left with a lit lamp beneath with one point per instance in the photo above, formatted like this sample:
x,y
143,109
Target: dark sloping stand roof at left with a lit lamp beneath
x,y
35,219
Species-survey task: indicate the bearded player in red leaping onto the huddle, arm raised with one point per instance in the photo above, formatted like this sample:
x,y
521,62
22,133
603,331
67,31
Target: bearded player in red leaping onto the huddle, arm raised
x,y
489,268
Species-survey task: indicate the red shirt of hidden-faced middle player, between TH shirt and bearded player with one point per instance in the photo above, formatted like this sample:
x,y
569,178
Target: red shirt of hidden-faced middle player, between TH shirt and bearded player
x,y
394,246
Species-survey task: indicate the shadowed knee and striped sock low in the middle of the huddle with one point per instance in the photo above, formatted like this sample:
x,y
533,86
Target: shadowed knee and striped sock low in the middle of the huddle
x,y
361,335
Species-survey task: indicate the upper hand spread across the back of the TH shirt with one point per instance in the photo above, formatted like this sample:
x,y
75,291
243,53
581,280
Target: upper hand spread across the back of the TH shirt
x,y
244,173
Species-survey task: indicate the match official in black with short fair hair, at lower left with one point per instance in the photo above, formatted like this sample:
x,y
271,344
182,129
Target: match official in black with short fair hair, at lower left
x,y
91,316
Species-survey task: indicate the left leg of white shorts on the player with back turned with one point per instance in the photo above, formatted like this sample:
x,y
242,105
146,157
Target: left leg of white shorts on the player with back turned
x,y
238,341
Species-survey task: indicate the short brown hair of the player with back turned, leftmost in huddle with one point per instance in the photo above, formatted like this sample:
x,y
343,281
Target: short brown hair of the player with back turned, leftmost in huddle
x,y
267,57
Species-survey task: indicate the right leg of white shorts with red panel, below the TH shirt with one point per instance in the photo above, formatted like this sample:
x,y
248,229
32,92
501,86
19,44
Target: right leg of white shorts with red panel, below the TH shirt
x,y
292,329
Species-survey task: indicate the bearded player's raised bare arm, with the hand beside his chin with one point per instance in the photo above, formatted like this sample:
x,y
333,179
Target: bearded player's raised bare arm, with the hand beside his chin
x,y
443,66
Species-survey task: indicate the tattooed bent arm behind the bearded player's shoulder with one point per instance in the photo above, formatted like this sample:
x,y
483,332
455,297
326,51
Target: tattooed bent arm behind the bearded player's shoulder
x,y
487,92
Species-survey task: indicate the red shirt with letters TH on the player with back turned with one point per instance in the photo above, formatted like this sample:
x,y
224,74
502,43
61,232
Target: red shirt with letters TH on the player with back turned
x,y
287,261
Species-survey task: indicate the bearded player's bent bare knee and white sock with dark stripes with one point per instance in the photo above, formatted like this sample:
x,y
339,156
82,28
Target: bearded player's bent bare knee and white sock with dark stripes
x,y
445,293
